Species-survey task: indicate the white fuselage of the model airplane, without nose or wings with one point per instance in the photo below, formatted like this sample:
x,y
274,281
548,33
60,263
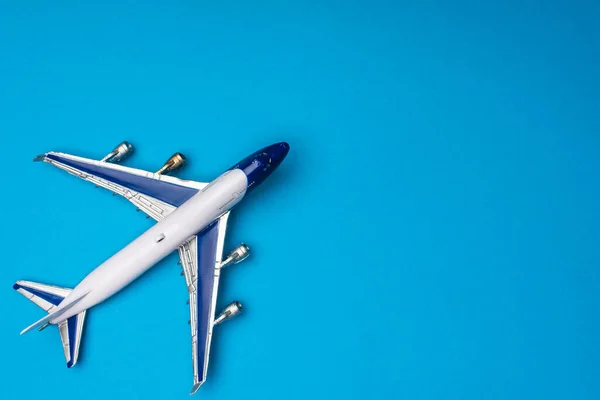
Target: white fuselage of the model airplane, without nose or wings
x,y
157,242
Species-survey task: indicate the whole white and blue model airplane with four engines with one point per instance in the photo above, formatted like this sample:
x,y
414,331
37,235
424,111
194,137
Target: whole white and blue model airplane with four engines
x,y
191,218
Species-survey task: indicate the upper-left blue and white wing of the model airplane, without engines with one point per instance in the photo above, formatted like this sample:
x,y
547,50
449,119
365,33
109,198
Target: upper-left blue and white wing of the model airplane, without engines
x,y
155,194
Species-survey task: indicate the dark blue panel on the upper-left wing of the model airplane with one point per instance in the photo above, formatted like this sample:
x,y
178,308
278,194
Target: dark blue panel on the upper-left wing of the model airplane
x,y
167,192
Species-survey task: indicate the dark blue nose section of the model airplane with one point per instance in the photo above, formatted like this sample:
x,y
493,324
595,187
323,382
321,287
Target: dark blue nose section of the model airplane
x,y
261,164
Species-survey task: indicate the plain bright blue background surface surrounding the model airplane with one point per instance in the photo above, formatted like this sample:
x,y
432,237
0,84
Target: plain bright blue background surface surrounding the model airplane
x,y
432,234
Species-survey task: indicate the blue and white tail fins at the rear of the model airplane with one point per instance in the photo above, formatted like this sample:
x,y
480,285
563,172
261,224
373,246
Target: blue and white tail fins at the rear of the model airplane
x,y
49,297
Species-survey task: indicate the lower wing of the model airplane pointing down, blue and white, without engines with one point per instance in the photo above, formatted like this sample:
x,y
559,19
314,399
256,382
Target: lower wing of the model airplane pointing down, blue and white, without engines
x,y
201,258
